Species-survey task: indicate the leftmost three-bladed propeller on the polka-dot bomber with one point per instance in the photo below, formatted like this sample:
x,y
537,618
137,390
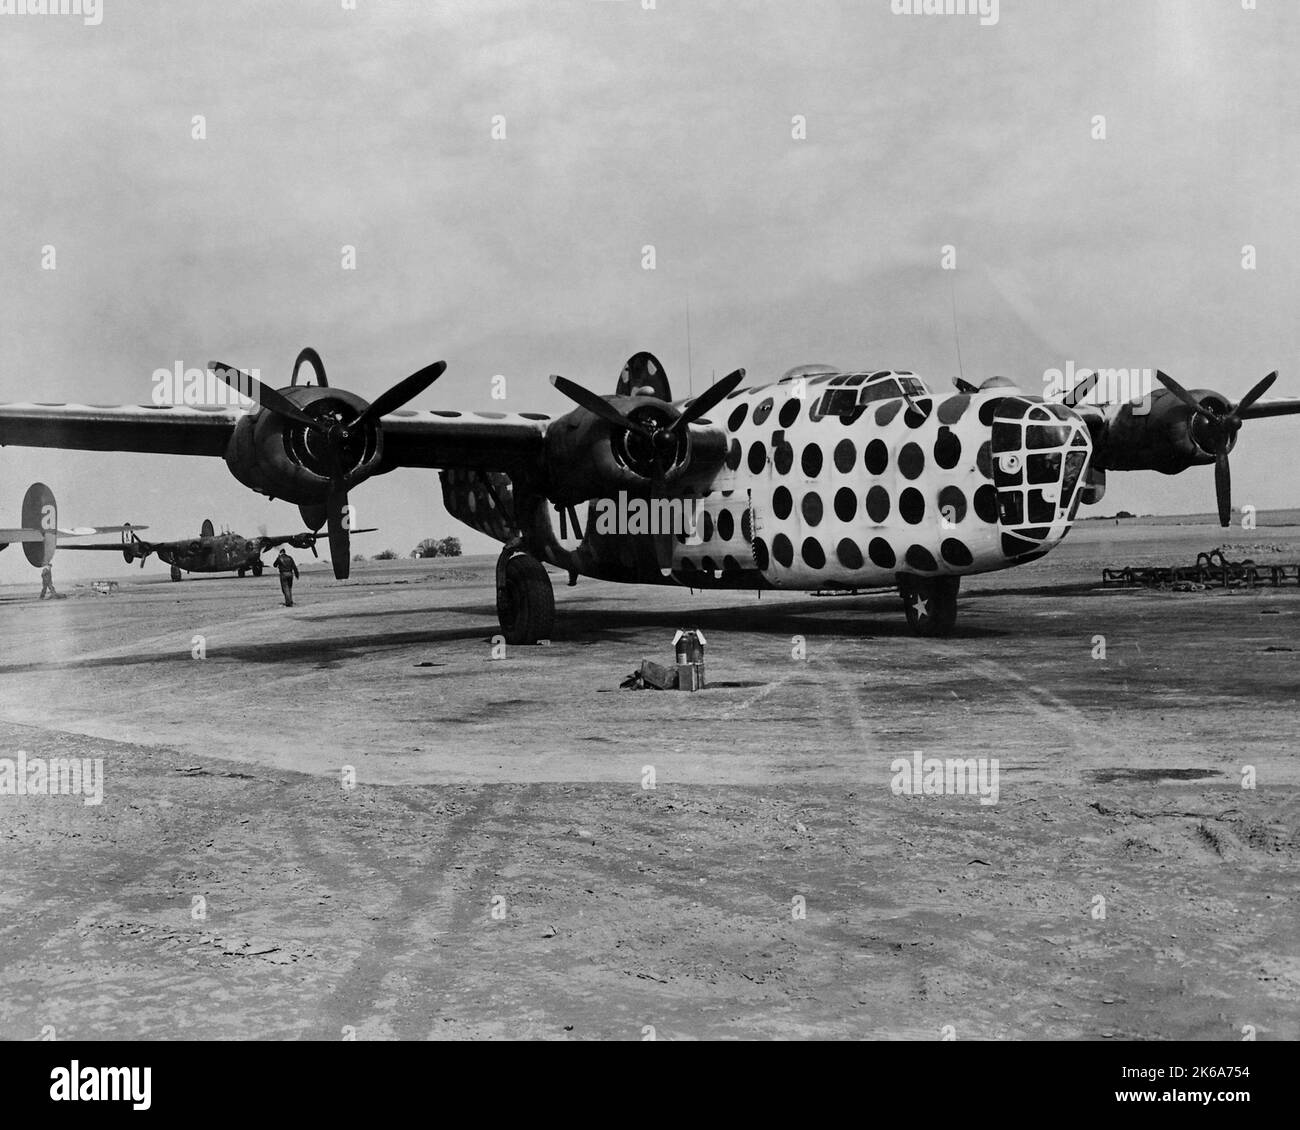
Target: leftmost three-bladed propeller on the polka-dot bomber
x,y
336,434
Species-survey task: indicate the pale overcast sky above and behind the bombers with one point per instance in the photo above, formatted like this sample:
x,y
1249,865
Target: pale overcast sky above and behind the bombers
x,y
626,128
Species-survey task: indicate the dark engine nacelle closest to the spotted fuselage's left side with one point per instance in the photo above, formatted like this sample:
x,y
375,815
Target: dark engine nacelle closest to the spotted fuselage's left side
x,y
590,458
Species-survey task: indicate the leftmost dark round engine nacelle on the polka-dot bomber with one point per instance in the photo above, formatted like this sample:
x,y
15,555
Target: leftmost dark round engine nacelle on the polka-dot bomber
x,y
280,458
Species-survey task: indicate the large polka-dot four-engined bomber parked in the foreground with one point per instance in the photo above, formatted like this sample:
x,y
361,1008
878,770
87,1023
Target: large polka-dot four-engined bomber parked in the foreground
x,y
821,480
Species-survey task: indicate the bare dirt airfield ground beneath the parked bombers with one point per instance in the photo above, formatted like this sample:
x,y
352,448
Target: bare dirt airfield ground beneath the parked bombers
x,y
501,869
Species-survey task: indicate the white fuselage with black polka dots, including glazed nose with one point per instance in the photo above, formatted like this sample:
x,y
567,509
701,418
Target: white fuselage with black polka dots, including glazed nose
x,y
847,480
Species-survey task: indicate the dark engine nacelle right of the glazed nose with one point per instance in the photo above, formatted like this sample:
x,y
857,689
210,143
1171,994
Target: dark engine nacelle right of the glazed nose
x,y
1168,438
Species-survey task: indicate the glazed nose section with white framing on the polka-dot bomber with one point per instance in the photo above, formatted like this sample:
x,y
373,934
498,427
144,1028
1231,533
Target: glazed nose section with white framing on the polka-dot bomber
x,y
1041,452
